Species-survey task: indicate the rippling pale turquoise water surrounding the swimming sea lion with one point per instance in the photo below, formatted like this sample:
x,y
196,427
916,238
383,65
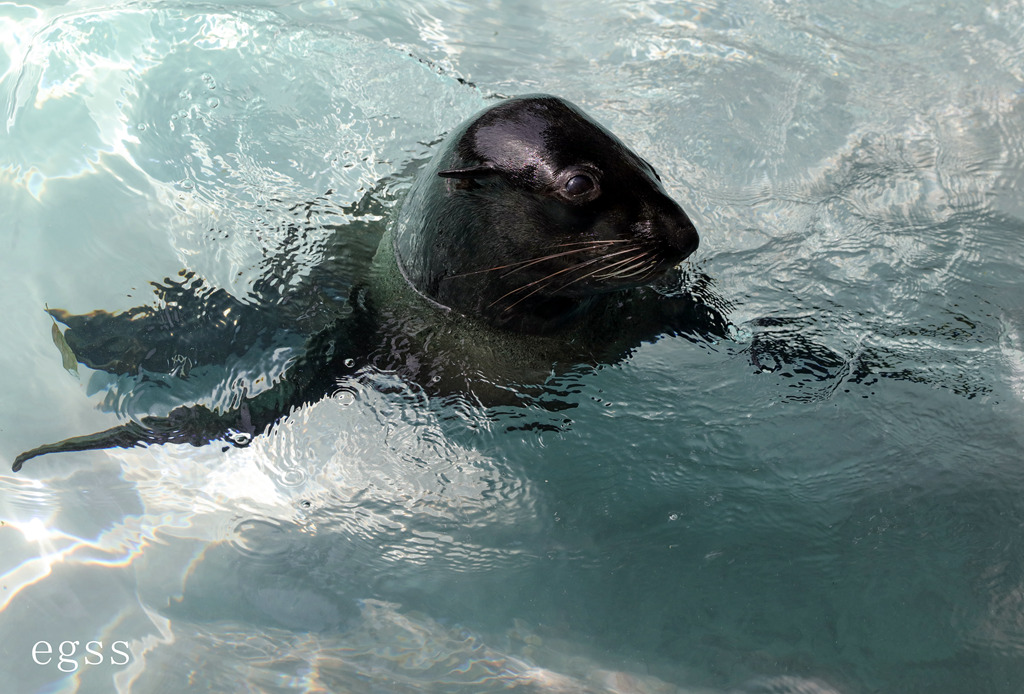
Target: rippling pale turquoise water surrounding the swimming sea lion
x,y
832,502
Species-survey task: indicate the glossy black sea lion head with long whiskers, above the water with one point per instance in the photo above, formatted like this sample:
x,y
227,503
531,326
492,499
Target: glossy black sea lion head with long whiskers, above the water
x,y
530,212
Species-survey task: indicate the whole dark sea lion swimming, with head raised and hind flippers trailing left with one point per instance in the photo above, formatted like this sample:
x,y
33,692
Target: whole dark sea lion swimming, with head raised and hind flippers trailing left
x,y
531,240
